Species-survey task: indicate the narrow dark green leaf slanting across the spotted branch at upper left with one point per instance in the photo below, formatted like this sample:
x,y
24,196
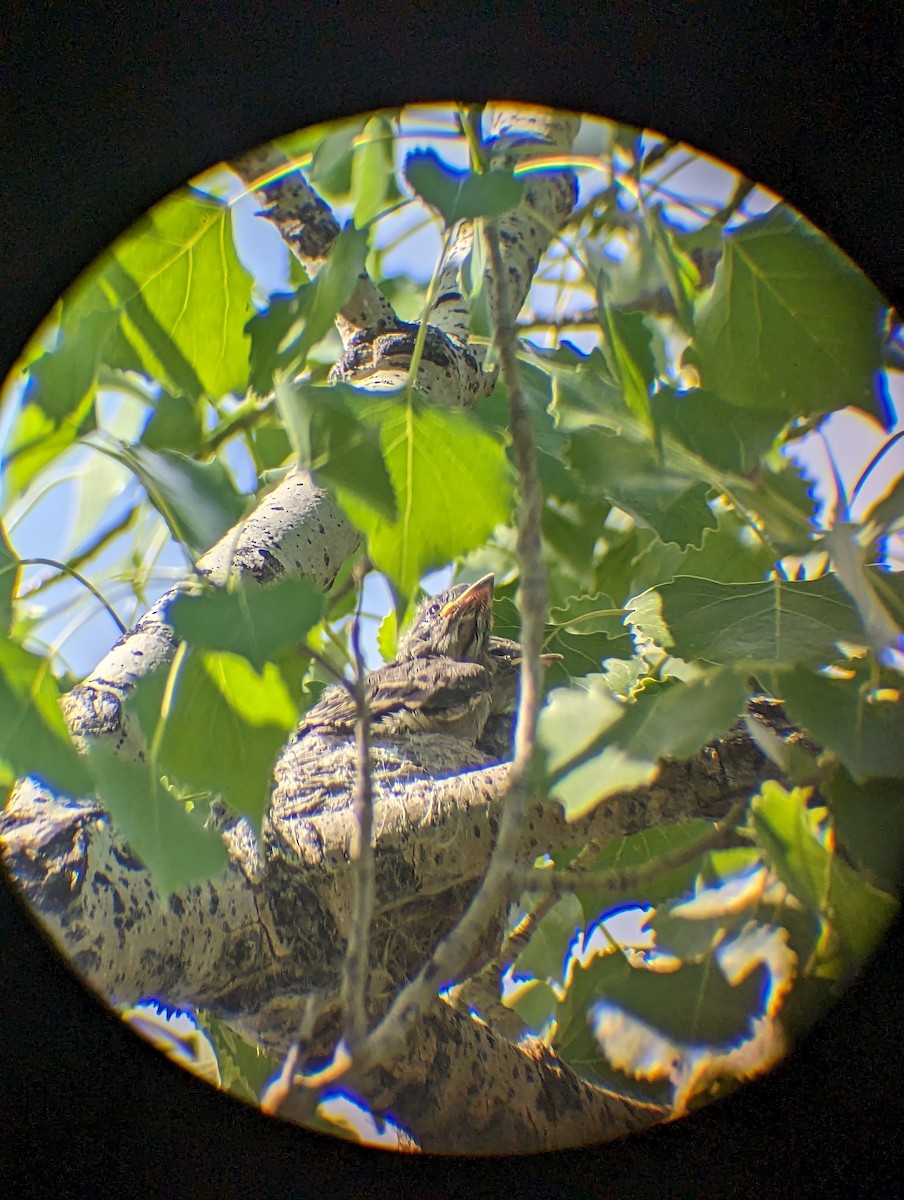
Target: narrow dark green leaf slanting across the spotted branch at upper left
x,y
284,335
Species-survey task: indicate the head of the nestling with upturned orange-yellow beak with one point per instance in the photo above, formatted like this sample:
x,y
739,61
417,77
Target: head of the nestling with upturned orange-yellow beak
x,y
456,625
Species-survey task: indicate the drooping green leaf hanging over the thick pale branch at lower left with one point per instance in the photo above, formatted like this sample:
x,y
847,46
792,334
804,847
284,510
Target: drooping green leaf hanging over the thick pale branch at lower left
x,y
172,843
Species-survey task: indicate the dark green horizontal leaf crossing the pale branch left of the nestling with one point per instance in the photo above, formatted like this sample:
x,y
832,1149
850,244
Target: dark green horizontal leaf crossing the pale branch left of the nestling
x,y
258,623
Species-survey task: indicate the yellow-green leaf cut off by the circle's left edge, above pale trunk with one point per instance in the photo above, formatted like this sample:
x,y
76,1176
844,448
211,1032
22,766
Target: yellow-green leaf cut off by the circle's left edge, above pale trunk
x,y
34,739
